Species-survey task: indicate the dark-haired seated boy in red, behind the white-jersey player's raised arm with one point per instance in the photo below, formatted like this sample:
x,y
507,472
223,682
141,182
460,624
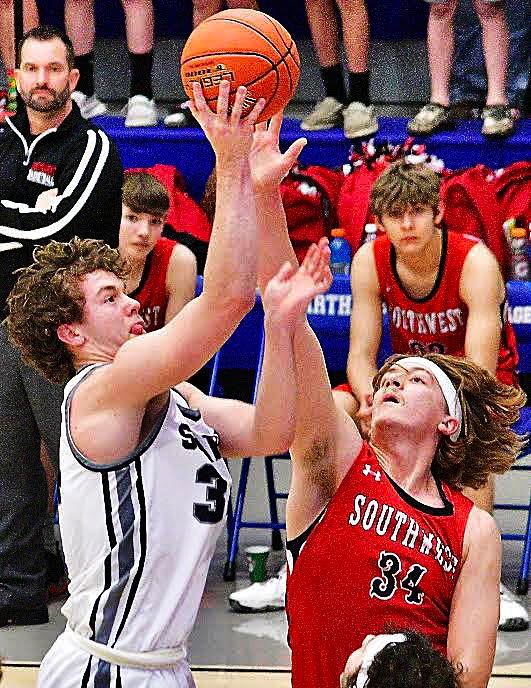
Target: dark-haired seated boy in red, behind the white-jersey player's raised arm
x,y
163,272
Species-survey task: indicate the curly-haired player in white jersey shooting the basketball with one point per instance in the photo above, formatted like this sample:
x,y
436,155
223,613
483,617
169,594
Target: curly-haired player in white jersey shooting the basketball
x,y
143,490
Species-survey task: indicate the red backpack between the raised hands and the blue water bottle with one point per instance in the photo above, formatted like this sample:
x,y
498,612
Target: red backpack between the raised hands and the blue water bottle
x,y
309,196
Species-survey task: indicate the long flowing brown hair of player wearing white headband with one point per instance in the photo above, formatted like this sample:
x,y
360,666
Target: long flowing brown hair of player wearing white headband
x,y
486,444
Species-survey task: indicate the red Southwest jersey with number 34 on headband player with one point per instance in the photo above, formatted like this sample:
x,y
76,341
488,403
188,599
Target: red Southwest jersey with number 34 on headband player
x,y
376,557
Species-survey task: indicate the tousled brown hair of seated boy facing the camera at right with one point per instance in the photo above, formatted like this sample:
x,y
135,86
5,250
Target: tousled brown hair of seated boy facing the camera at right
x,y
405,185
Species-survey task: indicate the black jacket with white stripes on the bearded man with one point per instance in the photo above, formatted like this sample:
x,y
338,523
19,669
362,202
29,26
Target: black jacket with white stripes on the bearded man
x,y
76,158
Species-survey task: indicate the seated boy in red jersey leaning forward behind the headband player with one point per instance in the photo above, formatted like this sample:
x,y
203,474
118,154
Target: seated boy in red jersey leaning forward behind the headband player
x,y
444,293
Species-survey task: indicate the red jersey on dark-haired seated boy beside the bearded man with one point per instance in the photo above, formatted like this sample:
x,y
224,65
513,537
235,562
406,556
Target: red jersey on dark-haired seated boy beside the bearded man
x,y
151,292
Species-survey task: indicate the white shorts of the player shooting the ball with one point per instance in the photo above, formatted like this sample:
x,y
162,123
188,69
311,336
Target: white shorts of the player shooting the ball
x,y
67,666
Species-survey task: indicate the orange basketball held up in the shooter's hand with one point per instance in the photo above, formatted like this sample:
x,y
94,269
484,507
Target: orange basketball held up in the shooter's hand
x,y
247,48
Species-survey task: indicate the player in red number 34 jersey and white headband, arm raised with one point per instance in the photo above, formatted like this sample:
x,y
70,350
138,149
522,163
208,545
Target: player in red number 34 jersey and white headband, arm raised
x,y
381,534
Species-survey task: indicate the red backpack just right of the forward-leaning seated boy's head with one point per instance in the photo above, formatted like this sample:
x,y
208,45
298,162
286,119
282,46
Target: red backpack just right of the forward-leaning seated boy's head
x,y
471,207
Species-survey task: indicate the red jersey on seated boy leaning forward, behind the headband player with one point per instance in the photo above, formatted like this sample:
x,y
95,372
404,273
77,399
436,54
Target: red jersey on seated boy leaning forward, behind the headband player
x,y
435,323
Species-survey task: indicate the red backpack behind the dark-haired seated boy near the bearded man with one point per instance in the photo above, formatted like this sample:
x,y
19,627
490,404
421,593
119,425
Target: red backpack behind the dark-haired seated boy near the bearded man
x,y
184,214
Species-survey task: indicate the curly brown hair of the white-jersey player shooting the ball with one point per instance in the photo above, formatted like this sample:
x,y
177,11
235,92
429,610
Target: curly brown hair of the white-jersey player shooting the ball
x,y
48,294
